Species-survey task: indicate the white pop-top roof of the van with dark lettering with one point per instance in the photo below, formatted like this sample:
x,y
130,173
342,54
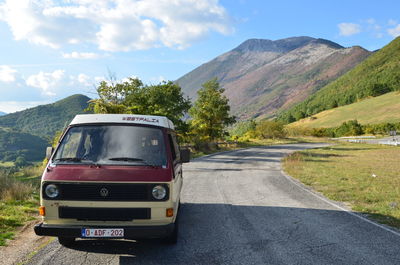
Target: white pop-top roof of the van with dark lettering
x,y
123,118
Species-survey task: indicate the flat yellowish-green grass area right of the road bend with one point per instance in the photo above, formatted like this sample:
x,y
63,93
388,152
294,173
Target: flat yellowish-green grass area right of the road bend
x,y
366,177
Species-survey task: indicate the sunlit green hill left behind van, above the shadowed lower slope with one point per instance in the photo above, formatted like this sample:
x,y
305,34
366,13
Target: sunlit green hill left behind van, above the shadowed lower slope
x,y
45,120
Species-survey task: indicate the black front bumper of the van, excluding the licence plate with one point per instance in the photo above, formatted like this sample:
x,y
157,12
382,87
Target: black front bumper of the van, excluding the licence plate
x,y
130,232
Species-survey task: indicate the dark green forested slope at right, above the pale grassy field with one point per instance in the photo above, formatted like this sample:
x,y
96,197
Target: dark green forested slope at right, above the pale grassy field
x,y
377,75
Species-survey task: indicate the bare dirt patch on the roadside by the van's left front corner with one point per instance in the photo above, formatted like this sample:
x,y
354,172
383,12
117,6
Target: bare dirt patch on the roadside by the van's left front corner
x,y
20,248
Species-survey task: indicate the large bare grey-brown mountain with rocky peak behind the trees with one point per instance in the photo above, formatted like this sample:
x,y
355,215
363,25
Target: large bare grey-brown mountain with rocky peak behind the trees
x,y
262,77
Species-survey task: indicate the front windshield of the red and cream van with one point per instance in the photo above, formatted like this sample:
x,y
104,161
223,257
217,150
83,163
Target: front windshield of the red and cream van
x,y
113,145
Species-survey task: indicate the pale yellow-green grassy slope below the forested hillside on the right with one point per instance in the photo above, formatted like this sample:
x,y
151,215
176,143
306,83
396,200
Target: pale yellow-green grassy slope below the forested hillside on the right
x,y
375,110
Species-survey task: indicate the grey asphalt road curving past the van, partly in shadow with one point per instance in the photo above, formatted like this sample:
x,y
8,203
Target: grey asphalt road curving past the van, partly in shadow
x,y
239,208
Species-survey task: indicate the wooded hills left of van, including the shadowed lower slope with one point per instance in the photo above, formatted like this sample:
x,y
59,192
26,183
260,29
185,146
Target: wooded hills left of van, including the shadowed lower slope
x,y
27,133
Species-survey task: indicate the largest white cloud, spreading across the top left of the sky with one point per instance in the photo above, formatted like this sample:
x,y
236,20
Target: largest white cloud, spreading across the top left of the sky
x,y
120,25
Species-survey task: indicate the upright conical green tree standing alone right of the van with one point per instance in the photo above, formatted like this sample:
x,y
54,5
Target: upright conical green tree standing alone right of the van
x,y
210,113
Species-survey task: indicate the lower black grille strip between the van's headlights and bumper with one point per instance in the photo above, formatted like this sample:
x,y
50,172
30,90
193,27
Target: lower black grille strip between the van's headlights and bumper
x,y
104,214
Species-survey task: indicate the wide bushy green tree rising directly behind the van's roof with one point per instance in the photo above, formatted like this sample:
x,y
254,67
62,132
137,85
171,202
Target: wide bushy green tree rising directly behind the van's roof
x,y
133,97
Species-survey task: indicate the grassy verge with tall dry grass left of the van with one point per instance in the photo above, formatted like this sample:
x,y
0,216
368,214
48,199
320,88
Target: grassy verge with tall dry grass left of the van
x,y
19,200
